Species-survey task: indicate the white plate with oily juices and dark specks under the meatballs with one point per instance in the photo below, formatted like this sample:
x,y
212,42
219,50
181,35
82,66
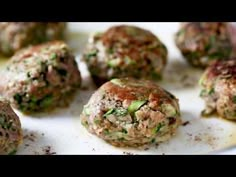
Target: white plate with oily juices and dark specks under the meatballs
x,y
60,132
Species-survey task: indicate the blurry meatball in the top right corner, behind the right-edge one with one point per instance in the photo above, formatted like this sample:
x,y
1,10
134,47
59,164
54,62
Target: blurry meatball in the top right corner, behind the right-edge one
x,y
201,43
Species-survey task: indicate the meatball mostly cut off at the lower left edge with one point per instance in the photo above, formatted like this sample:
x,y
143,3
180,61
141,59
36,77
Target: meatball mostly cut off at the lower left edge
x,y
10,129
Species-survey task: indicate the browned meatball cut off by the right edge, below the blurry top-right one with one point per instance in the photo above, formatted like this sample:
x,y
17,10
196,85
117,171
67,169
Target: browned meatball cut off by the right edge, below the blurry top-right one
x,y
219,89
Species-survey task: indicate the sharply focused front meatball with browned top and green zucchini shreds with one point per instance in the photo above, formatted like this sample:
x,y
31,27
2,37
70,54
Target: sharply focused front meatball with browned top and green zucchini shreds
x,y
130,112
